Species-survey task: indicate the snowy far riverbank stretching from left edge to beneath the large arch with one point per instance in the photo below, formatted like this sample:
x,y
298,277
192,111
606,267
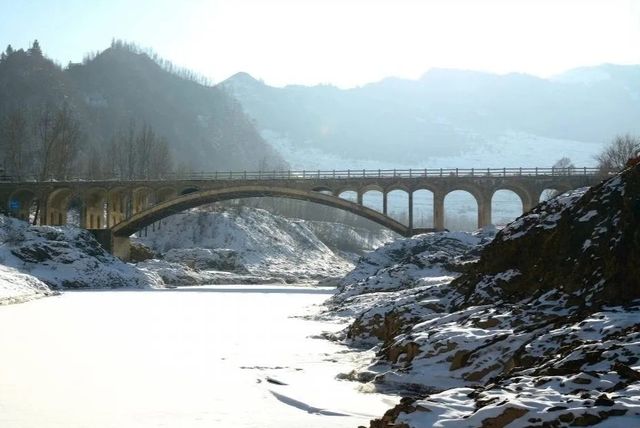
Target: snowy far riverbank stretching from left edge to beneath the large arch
x,y
239,246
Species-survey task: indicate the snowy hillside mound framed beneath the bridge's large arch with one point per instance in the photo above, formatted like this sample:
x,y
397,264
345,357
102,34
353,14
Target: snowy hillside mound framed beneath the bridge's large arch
x,y
251,241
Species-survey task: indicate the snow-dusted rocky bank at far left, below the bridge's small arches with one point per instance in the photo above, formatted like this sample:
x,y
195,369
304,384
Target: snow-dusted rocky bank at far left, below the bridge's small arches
x,y
34,260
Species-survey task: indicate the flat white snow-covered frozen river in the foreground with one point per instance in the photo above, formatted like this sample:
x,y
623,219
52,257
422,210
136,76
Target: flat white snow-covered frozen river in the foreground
x,y
192,357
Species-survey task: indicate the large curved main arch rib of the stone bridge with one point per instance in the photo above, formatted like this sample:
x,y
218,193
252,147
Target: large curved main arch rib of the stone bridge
x,y
191,200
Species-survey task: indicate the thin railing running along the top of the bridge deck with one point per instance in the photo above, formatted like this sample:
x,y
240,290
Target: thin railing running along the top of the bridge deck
x,y
345,174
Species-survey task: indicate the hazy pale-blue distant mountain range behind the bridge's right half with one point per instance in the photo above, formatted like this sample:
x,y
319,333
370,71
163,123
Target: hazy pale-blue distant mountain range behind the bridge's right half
x,y
448,113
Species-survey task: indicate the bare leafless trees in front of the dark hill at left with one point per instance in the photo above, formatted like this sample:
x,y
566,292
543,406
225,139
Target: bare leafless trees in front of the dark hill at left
x,y
49,143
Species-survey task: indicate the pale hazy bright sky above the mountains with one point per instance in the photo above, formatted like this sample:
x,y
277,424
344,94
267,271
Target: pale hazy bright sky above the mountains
x,y
342,42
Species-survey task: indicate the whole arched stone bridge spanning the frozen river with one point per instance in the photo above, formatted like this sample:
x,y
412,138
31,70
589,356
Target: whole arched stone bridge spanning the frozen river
x,y
115,209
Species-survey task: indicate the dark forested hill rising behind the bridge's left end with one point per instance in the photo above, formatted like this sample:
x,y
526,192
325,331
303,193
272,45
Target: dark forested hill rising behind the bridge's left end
x,y
123,88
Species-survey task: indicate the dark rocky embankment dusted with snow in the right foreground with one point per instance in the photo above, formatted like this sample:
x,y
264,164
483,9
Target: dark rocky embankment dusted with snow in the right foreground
x,y
542,331
